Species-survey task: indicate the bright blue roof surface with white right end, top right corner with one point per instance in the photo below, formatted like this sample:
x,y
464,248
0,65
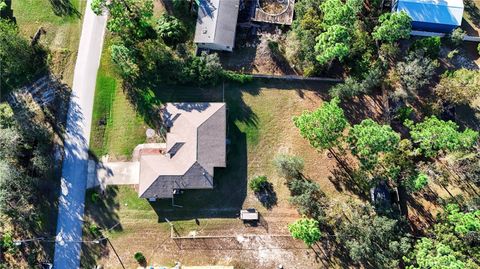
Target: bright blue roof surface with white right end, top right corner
x,y
447,12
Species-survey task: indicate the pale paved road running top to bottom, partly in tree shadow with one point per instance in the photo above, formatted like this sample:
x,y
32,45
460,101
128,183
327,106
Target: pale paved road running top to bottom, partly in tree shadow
x,y
79,118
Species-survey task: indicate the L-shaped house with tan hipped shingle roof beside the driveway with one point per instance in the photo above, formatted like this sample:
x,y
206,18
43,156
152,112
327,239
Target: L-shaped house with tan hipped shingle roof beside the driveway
x,y
196,144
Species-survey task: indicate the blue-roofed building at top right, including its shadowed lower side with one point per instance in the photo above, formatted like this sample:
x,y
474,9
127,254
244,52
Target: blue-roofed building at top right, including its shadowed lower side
x,y
432,15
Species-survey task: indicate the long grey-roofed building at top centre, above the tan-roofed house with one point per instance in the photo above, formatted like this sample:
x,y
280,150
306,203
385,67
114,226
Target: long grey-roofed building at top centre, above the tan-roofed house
x,y
216,24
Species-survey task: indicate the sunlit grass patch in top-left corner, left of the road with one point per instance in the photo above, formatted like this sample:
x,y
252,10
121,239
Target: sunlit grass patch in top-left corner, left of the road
x,y
62,21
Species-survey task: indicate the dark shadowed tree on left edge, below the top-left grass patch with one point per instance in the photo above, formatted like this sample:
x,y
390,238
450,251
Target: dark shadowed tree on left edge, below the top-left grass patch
x,y
20,62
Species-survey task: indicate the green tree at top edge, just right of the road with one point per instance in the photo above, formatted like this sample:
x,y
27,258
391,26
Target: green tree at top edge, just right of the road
x,y
127,18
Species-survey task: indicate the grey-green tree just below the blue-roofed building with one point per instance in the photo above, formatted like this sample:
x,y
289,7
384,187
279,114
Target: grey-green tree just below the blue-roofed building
x,y
416,71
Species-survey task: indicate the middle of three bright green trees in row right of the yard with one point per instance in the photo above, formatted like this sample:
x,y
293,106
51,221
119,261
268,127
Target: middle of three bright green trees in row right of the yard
x,y
368,139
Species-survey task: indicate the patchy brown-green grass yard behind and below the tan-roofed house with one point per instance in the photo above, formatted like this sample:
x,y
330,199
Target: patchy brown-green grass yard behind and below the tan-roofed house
x,y
259,127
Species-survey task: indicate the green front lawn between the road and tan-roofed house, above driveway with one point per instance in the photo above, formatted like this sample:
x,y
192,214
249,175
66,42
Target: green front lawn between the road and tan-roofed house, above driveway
x,y
116,127
